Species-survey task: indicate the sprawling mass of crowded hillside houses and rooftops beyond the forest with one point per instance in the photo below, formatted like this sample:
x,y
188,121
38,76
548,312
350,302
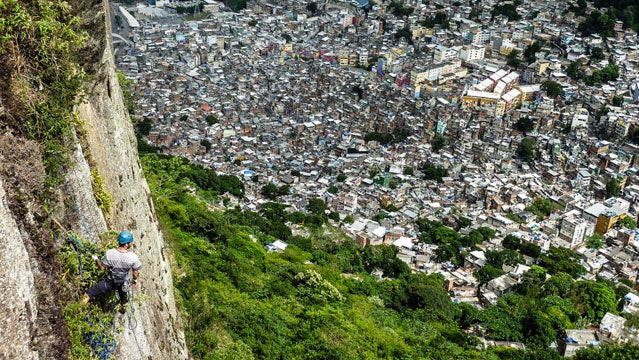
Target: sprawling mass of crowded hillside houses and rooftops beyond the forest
x,y
521,117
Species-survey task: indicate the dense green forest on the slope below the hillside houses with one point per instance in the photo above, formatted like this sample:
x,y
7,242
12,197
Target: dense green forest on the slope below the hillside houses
x,y
318,300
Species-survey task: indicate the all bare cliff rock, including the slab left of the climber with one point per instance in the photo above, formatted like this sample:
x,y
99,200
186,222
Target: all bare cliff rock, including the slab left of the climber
x,y
31,325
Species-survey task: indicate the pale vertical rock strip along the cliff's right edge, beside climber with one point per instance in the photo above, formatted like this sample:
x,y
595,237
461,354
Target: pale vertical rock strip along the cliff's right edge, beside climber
x,y
112,146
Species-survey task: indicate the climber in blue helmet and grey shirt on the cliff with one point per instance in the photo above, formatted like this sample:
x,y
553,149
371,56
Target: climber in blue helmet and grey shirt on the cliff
x,y
119,261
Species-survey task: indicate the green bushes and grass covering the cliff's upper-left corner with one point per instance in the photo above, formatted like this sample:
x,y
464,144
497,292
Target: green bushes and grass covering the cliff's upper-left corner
x,y
40,81
